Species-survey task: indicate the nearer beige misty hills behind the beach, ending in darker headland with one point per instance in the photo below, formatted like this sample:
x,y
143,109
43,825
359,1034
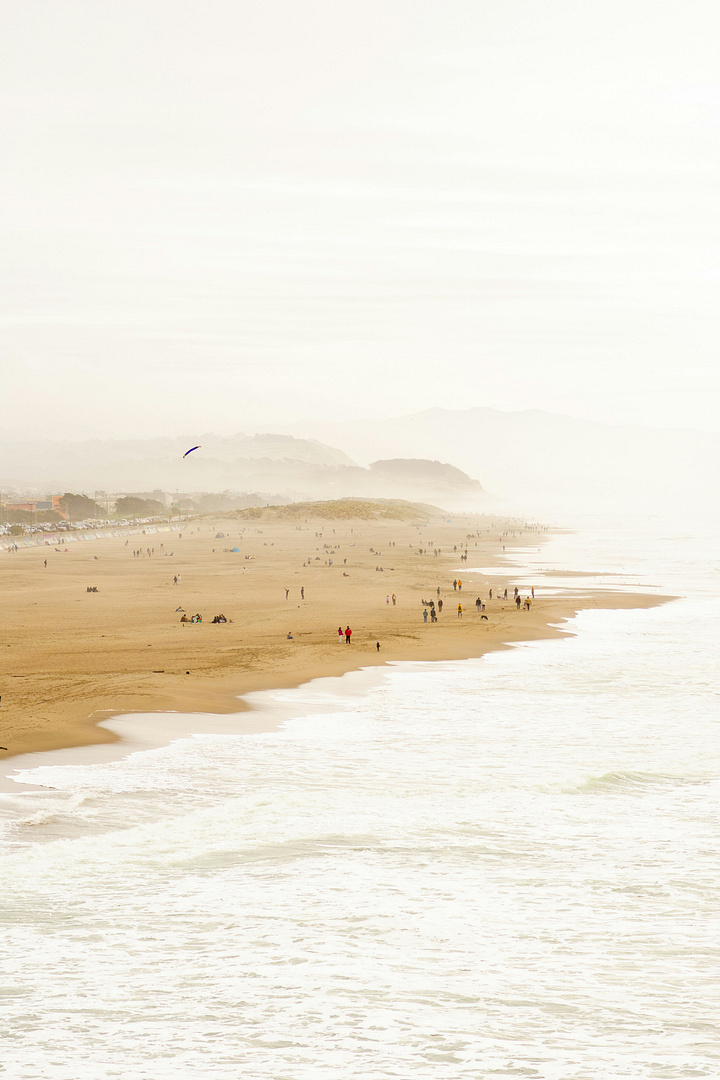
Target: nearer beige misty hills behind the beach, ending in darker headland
x,y
275,467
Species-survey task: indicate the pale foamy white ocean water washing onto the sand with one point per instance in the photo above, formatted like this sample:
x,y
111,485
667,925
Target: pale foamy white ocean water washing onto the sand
x,y
499,868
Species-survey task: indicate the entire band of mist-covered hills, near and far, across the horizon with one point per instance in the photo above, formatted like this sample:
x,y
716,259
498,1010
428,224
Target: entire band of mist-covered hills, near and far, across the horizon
x,y
526,456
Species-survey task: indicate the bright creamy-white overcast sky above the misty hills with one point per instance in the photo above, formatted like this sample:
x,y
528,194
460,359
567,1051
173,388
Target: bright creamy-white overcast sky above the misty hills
x,y
229,215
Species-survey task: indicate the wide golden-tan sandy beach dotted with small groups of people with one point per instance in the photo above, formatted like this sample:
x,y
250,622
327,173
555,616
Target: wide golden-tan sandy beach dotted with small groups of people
x,y
71,658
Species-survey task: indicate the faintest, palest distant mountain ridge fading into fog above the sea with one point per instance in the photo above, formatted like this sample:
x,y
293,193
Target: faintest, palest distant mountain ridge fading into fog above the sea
x,y
536,454
